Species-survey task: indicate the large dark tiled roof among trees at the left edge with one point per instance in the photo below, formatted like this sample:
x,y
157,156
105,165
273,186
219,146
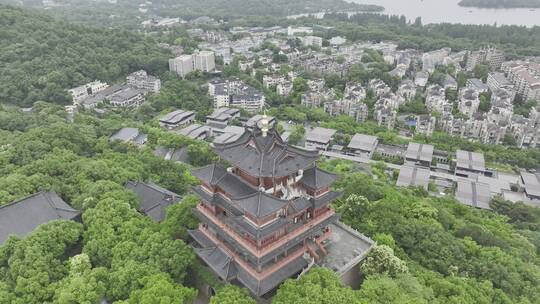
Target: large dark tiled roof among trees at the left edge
x,y
21,217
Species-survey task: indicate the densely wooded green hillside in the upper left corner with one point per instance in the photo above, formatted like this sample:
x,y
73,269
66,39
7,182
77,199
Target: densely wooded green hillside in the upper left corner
x,y
41,58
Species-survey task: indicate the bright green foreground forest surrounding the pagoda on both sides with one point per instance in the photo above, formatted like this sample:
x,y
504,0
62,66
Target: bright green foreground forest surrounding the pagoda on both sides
x,y
430,250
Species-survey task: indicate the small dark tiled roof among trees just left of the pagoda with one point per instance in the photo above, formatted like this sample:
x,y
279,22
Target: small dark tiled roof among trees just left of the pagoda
x,y
153,199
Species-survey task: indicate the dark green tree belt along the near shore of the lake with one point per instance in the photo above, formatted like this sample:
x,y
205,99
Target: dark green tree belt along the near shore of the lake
x,y
516,41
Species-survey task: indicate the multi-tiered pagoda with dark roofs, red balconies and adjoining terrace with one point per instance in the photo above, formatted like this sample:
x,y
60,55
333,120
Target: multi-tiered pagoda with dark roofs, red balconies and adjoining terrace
x,y
266,216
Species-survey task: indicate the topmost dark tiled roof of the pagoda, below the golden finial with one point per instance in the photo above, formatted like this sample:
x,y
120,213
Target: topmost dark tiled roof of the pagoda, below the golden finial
x,y
265,156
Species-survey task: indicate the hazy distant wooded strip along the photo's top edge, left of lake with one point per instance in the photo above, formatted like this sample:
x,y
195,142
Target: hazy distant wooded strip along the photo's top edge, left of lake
x,y
131,13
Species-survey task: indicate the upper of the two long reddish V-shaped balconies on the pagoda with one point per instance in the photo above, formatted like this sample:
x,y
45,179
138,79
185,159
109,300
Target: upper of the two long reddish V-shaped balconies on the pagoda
x,y
259,251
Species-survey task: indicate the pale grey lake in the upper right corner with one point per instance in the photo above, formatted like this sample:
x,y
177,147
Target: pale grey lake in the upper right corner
x,y
438,11
